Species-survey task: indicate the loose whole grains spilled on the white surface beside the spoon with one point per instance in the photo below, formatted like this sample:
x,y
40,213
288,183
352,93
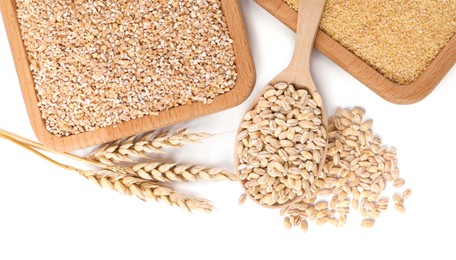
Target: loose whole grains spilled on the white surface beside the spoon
x,y
357,171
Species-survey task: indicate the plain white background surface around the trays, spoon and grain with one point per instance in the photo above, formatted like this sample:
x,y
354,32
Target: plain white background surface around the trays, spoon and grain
x,y
49,213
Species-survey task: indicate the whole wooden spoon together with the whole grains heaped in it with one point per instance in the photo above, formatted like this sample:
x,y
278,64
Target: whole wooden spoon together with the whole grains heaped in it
x,y
281,142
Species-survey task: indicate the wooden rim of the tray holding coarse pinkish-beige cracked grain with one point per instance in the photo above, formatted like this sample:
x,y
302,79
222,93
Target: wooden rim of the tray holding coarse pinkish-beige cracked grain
x,y
242,89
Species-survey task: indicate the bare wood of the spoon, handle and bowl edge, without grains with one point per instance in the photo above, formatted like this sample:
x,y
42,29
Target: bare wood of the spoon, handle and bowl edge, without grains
x,y
298,72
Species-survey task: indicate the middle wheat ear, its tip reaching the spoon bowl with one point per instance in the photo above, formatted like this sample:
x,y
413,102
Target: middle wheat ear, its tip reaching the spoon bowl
x,y
169,172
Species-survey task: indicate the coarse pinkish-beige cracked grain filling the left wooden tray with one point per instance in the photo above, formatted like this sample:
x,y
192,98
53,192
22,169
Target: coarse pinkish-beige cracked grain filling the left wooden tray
x,y
102,62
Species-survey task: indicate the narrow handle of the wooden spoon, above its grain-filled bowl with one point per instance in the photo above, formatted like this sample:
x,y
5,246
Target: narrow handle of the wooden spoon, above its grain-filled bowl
x,y
309,16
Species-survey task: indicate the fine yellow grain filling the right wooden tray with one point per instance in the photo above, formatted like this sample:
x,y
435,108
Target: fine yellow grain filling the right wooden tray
x,y
398,38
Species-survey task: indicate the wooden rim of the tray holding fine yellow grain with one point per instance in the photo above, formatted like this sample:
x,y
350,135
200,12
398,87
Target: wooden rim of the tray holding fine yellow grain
x,y
387,89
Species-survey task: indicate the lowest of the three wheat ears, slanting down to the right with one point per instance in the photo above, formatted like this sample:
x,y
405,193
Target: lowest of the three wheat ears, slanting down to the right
x,y
145,189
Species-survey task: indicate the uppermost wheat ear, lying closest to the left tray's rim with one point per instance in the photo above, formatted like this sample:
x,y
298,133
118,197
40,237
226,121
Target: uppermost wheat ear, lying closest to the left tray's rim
x,y
140,146
